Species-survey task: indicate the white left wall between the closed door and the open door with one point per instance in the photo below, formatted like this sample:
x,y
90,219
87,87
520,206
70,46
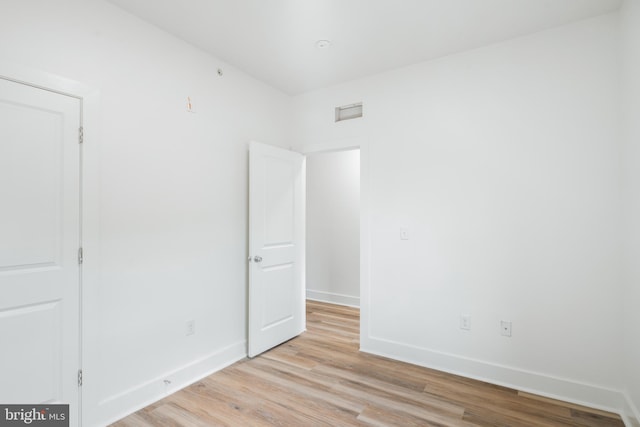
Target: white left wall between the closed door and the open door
x,y
170,189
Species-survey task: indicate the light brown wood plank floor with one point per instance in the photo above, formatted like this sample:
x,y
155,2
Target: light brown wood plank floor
x,y
320,378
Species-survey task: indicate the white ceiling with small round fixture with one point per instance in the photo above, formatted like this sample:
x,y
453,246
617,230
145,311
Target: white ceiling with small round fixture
x,y
274,40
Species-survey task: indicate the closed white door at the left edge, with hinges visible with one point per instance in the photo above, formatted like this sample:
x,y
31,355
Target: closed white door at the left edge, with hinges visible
x,y
39,242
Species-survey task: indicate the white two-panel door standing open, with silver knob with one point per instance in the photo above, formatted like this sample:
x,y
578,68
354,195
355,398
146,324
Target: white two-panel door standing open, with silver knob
x,y
276,246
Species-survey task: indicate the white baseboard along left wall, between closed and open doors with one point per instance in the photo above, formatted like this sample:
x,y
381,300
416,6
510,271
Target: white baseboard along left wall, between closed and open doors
x,y
119,406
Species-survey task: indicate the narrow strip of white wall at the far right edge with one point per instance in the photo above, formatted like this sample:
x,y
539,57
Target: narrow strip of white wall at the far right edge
x,y
630,14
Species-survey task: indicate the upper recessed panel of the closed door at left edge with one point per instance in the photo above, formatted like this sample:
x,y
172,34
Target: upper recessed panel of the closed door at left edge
x,y
30,152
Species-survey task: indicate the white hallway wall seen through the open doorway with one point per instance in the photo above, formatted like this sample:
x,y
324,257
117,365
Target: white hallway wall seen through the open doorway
x,y
333,227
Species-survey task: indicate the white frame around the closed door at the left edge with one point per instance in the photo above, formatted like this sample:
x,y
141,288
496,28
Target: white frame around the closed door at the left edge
x,y
89,99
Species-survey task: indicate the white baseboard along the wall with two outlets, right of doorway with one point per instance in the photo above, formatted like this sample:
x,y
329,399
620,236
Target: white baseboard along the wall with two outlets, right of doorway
x,y
567,390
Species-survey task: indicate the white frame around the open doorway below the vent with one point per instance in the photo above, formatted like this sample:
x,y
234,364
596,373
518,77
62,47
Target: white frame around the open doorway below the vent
x,y
361,143
